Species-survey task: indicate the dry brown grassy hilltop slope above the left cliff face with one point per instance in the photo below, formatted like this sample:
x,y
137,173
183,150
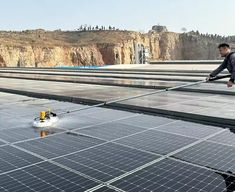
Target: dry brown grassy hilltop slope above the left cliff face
x,y
63,38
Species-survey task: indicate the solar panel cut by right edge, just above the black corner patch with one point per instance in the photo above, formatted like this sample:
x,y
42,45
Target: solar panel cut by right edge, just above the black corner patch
x,y
217,156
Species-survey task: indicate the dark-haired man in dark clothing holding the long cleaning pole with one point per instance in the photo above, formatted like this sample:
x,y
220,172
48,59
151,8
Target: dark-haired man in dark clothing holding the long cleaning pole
x,y
229,63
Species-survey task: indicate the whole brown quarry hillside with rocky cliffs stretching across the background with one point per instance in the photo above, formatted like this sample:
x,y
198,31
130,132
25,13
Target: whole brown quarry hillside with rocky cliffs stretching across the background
x,y
39,48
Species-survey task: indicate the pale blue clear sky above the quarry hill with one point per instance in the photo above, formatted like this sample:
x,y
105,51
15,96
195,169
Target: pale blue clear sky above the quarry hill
x,y
207,16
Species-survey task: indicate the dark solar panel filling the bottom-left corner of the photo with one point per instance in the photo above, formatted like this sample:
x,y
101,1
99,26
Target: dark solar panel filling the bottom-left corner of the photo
x,y
44,177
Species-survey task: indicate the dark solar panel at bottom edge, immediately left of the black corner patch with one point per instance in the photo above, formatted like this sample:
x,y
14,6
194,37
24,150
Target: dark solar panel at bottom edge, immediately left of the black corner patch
x,y
170,175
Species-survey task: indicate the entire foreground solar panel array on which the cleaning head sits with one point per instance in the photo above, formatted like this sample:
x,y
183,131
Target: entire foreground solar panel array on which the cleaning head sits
x,y
108,150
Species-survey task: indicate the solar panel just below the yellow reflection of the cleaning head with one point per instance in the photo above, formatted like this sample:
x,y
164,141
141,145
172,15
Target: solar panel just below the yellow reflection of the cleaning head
x,y
58,145
